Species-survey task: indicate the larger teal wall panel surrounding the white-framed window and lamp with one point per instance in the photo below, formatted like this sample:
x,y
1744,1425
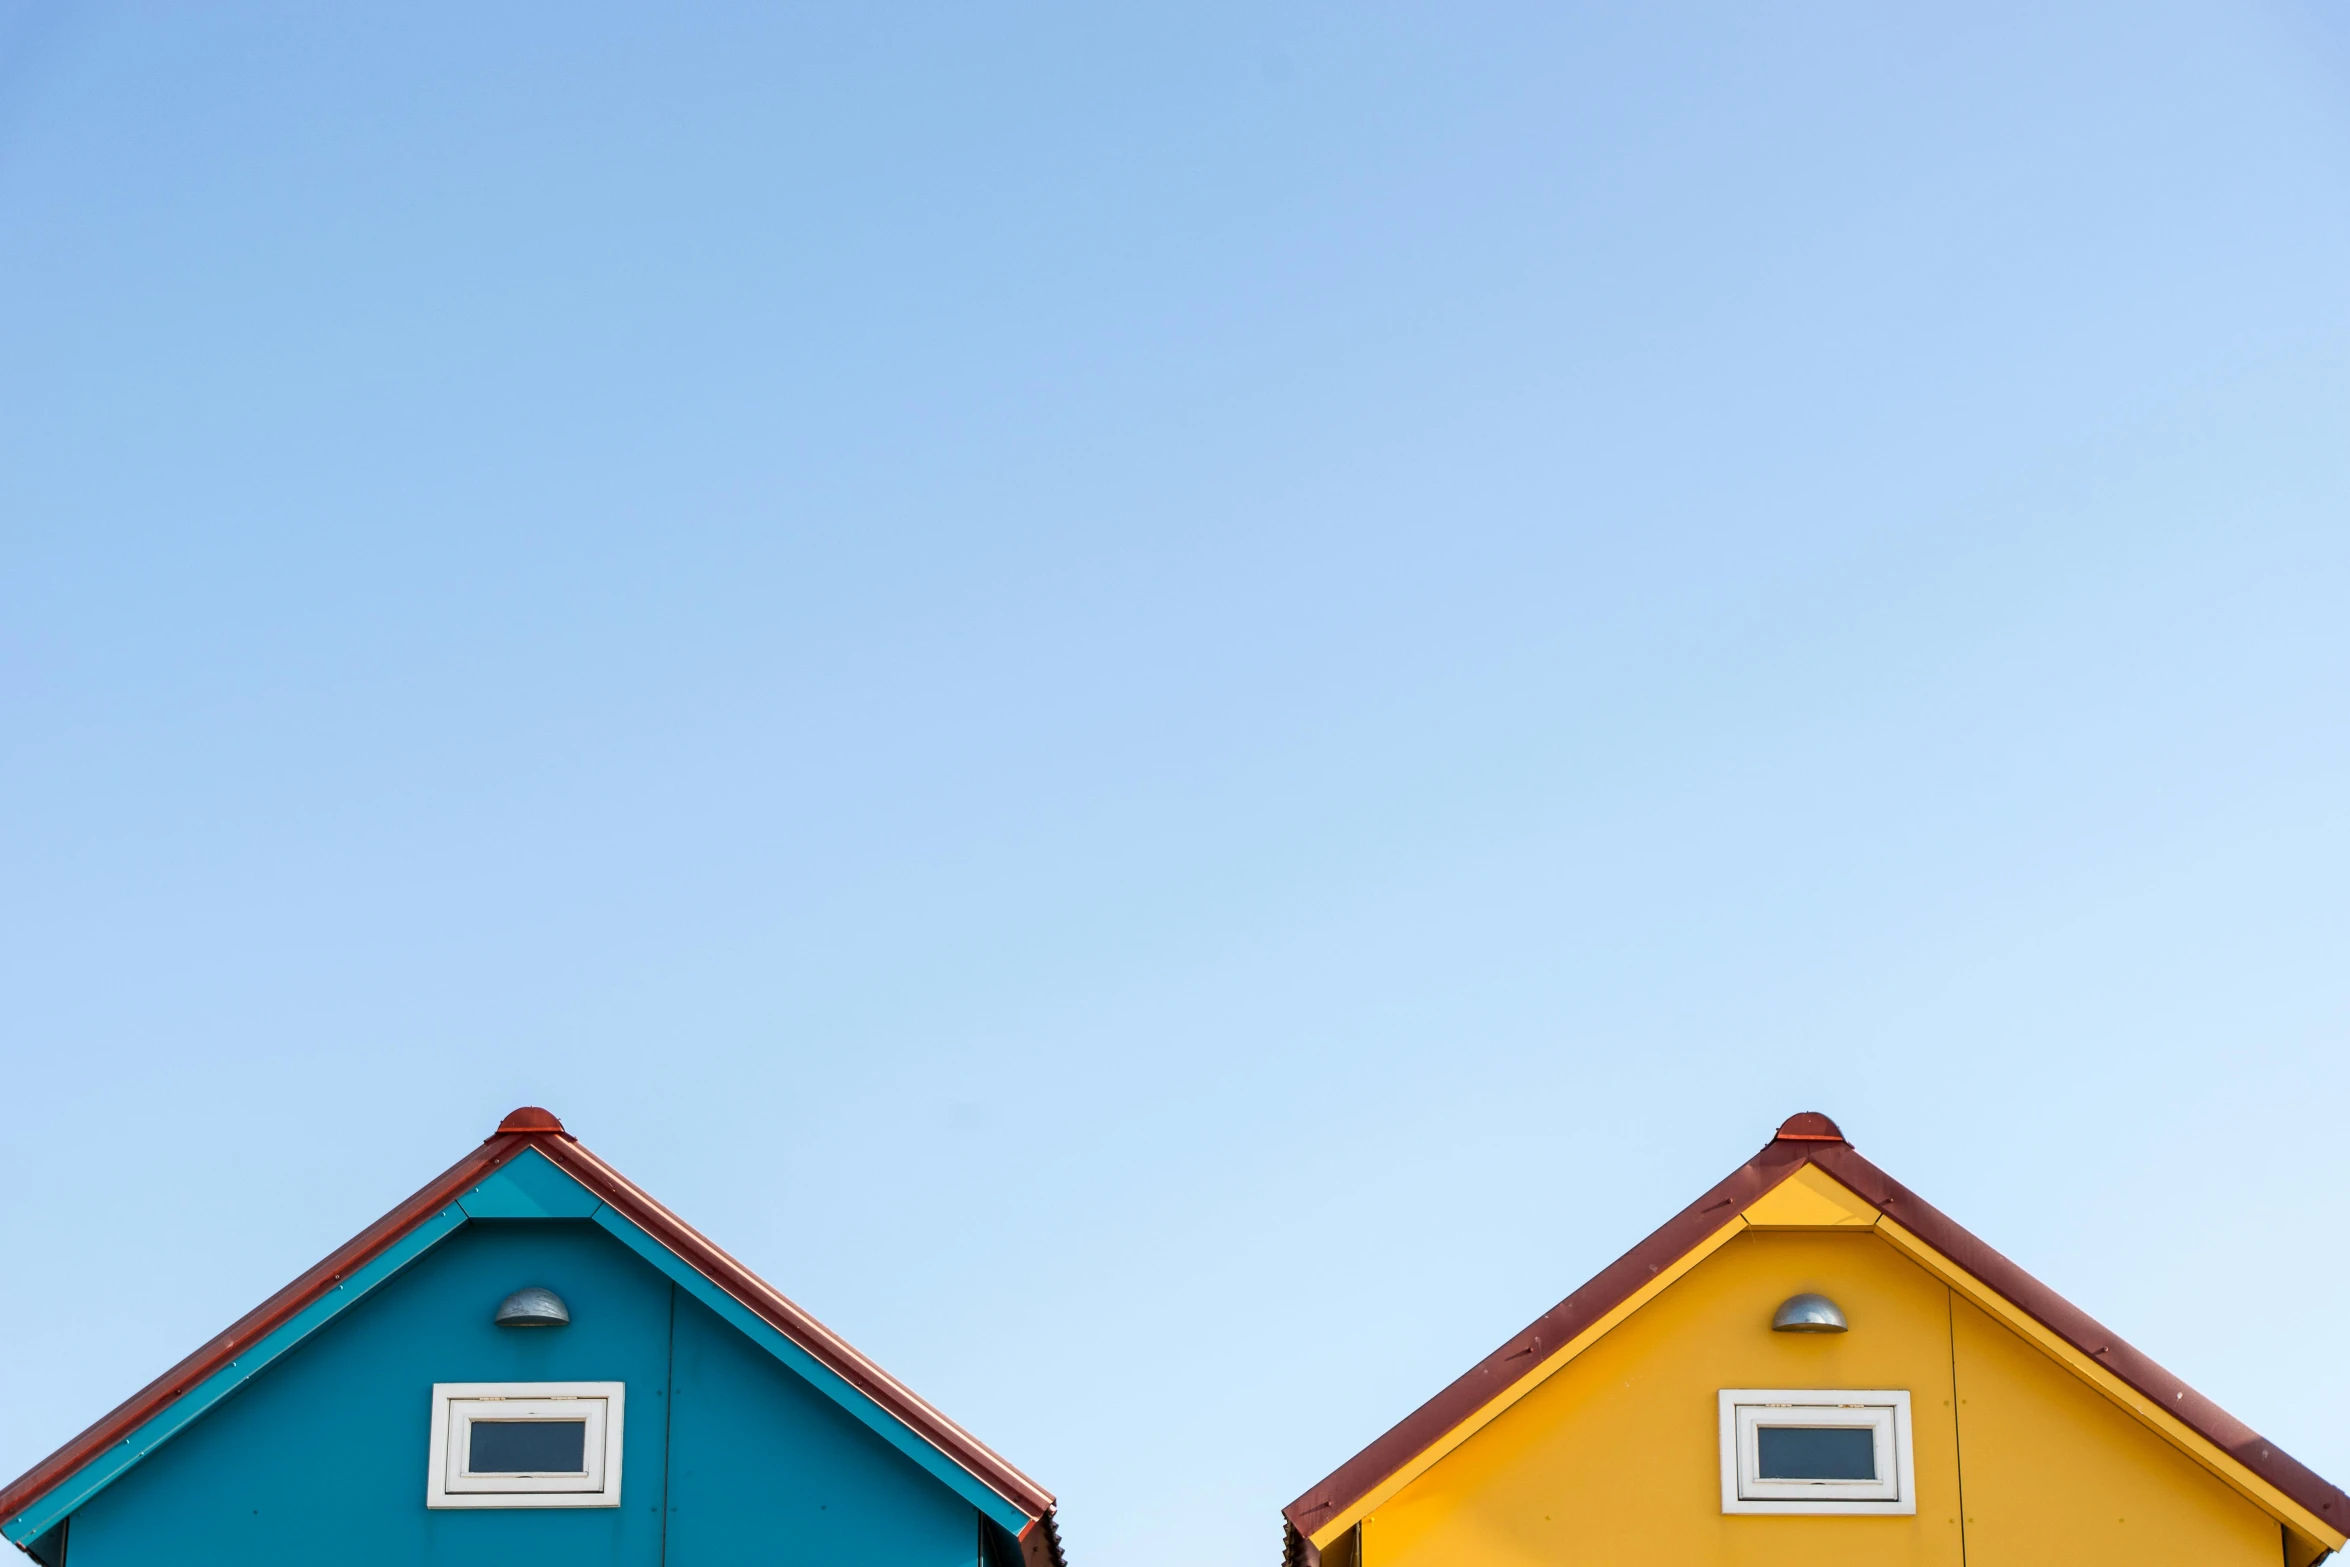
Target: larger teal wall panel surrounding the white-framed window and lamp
x,y
323,1460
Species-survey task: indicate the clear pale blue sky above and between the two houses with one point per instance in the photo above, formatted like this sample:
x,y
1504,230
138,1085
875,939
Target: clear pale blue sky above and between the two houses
x,y
1176,706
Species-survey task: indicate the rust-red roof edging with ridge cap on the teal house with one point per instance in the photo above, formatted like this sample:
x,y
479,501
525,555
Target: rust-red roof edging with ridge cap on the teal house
x,y
537,1129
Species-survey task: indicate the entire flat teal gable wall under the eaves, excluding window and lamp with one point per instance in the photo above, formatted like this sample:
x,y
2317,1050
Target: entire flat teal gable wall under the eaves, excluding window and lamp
x,y
323,1455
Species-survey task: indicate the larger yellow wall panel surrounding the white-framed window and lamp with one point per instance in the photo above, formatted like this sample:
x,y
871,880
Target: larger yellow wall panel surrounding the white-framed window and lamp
x,y
1616,1460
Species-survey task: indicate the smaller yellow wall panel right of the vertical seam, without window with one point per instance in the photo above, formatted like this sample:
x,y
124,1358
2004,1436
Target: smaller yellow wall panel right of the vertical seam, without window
x,y
2057,1474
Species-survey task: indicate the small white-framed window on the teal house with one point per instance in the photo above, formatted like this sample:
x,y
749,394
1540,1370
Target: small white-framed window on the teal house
x,y
525,1446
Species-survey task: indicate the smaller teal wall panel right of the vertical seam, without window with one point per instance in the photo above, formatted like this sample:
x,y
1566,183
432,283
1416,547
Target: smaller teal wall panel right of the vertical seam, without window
x,y
767,1470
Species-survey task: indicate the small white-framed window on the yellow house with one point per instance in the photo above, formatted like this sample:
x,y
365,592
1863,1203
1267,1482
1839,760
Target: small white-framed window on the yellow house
x,y
1818,1451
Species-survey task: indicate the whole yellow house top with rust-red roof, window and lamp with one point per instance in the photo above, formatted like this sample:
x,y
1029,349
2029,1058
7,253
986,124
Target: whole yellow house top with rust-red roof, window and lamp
x,y
1811,1366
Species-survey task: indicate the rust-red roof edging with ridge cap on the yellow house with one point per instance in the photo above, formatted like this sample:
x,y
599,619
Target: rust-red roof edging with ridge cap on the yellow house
x,y
1806,1141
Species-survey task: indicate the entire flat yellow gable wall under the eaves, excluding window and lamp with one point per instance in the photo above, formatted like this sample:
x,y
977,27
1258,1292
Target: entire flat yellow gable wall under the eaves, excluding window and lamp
x,y
1618,1455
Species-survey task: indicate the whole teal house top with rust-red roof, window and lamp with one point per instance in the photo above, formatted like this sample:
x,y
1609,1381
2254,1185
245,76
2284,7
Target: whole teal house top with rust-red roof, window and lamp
x,y
528,1361
